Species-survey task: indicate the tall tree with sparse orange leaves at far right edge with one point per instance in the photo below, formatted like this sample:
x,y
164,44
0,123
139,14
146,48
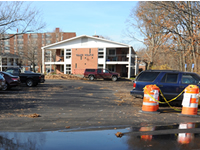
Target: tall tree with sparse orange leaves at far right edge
x,y
181,19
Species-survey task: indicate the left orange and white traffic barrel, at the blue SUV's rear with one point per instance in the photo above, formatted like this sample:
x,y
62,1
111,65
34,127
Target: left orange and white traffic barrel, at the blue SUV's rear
x,y
151,98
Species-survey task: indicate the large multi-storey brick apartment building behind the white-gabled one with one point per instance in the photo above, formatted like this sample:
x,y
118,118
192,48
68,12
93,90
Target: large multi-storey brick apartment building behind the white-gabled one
x,y
15,50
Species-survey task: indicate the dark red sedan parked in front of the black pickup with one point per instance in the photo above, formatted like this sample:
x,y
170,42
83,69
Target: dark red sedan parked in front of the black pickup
x,y
11,81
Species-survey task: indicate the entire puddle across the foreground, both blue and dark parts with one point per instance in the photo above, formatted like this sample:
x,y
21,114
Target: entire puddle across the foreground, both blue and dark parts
x,y
173,137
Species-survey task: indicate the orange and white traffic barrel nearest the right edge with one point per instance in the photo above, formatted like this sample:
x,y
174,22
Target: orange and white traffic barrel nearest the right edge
x,y
190,100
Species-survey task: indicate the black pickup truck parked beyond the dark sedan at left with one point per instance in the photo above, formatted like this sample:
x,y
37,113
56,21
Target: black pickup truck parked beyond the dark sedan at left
x,y
30,79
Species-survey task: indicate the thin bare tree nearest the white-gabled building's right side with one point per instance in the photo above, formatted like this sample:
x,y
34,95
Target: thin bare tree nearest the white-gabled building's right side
x,y
141,19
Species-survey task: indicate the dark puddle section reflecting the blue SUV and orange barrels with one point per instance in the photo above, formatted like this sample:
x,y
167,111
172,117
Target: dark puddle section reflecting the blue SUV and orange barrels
x,y
182,136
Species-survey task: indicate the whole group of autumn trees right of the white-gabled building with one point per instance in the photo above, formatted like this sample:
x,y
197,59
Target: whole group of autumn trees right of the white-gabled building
x,y
170,31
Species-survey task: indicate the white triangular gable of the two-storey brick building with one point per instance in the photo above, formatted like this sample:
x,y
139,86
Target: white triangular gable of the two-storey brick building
x,y
85,42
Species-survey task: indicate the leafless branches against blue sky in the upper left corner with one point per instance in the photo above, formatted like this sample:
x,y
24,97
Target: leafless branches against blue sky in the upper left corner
x,y
18,17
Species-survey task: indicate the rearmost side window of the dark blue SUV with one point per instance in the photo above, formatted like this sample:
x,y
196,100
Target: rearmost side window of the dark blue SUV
x,y
147,76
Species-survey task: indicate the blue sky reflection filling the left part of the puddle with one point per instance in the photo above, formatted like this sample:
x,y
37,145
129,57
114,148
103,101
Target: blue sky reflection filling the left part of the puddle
x,y
77,140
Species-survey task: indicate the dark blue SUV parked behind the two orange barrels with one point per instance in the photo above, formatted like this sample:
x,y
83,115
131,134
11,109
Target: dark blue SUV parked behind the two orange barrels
x,y
170,82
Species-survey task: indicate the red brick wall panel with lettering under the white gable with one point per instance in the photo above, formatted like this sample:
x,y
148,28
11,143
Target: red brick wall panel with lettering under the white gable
x,y
89,60
